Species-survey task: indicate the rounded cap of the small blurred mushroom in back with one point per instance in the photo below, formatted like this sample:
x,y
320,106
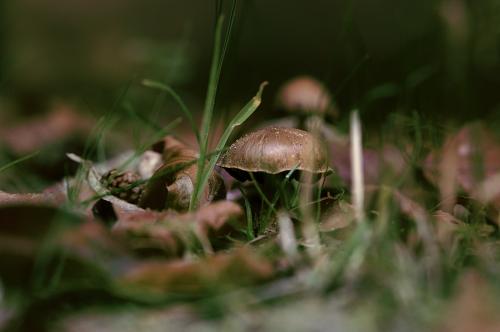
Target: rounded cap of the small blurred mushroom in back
x,y
305,94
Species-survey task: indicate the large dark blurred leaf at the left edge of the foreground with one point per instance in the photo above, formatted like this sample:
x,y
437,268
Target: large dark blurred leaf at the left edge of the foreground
x,y
37,239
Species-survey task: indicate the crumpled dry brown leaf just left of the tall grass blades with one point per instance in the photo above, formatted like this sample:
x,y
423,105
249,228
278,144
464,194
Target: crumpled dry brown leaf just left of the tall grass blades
x,y
170,186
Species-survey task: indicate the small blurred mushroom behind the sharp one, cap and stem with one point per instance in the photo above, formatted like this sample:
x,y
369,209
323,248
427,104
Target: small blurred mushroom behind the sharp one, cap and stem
x,y
307,99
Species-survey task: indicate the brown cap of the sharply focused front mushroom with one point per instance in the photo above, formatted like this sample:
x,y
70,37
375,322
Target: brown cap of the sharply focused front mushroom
x,y
274,150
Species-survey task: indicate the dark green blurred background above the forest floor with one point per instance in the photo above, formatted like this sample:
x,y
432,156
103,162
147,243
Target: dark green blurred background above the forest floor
x,y
440,59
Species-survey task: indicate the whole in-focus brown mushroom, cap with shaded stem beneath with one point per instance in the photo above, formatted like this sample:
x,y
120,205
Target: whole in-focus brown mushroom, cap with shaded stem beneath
x,y
267,156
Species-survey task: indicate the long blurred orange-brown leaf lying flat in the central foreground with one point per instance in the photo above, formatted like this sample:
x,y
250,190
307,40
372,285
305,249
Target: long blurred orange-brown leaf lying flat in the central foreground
x,y
240,267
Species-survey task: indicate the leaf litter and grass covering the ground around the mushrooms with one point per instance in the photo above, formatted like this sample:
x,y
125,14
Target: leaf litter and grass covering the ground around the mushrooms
x,y
202,262
